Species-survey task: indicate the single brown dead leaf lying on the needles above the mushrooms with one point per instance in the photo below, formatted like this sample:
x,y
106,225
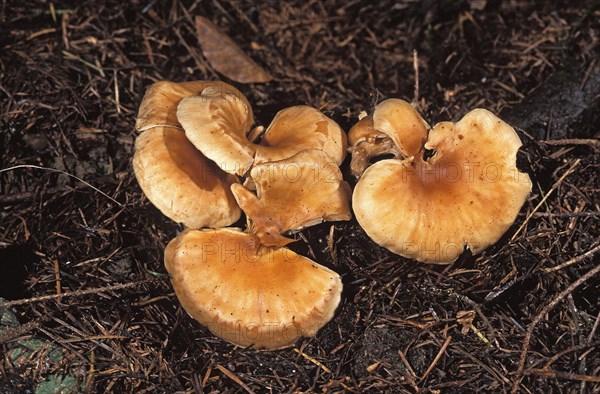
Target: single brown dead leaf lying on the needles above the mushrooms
x,y
226,57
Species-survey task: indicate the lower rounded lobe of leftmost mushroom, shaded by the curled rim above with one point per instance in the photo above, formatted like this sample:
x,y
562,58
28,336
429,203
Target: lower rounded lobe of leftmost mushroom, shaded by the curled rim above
x,y
182,183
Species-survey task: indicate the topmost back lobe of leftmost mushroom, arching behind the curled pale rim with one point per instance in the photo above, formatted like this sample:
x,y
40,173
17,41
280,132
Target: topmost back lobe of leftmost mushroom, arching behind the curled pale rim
x,y
159,105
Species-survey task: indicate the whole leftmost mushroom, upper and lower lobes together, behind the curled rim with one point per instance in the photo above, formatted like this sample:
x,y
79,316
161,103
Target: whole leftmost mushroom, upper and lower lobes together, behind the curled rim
x,y
182,183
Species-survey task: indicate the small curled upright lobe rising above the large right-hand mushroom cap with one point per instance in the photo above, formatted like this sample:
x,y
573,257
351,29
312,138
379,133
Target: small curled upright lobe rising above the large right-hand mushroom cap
x,y
402,123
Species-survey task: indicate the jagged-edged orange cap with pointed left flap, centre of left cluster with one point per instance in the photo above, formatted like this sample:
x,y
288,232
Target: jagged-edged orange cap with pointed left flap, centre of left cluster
x,y
294,193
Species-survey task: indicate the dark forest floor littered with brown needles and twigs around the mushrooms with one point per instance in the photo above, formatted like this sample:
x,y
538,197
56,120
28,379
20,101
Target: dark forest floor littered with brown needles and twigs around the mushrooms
x,y
71,78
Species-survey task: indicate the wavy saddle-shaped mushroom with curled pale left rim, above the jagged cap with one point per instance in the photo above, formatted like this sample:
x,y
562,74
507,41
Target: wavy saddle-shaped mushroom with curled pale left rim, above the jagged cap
x,y
218,126
